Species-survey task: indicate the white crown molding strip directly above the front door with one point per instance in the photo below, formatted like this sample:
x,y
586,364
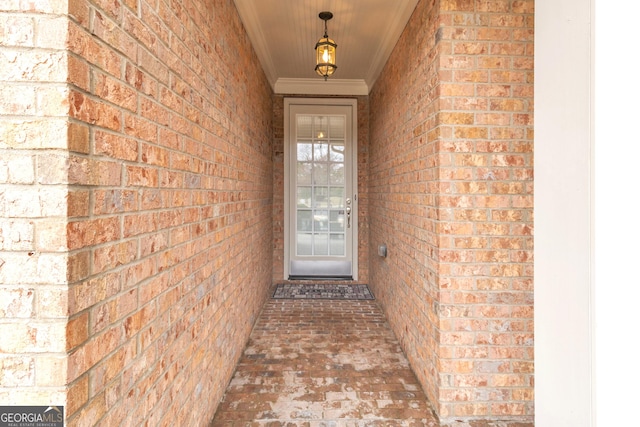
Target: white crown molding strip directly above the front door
x,y
287,86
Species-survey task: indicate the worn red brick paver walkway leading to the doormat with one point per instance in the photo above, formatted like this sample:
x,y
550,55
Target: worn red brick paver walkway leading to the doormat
x,y
323,363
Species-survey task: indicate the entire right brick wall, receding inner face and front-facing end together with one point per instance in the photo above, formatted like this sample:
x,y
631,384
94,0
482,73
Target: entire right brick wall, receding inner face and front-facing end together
x,y
451,194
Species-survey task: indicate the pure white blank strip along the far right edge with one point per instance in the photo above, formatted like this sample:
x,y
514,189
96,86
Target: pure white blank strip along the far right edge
x,y
617,213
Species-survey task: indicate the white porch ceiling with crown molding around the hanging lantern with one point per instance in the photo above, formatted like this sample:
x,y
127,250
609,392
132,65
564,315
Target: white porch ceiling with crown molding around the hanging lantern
x,y
284,34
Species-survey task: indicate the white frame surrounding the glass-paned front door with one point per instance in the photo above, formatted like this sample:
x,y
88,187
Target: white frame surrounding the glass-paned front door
x,y
338,102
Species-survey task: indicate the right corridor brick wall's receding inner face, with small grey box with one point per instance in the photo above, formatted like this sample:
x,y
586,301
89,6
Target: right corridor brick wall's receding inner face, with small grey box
x,y
403,191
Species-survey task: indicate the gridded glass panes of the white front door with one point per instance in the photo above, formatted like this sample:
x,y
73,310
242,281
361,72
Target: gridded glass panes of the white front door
x,y
320,182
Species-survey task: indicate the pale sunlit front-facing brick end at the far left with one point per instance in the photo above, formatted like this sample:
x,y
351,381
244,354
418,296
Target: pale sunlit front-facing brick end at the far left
x,y
33,256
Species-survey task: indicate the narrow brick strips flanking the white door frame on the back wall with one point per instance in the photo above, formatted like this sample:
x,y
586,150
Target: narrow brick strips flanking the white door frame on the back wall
x,y
278,188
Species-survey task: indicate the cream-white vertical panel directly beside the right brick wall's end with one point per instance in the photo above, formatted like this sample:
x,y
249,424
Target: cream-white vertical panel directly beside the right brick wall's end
x,y
562,209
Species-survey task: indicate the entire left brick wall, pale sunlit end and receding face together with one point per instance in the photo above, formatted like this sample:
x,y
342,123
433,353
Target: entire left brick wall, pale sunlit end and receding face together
x,y
135,190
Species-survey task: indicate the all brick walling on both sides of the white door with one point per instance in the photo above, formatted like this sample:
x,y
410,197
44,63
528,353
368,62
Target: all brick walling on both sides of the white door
x,y
141,199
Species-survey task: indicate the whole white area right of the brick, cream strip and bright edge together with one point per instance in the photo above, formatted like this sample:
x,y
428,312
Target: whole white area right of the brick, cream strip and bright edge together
x,y
586,208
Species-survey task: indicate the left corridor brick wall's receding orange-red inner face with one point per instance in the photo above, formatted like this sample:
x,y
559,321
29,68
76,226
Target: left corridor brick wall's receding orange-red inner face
x,y
171,200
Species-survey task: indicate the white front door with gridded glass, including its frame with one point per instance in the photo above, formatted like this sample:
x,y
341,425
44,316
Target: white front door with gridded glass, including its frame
x,y
320,183
